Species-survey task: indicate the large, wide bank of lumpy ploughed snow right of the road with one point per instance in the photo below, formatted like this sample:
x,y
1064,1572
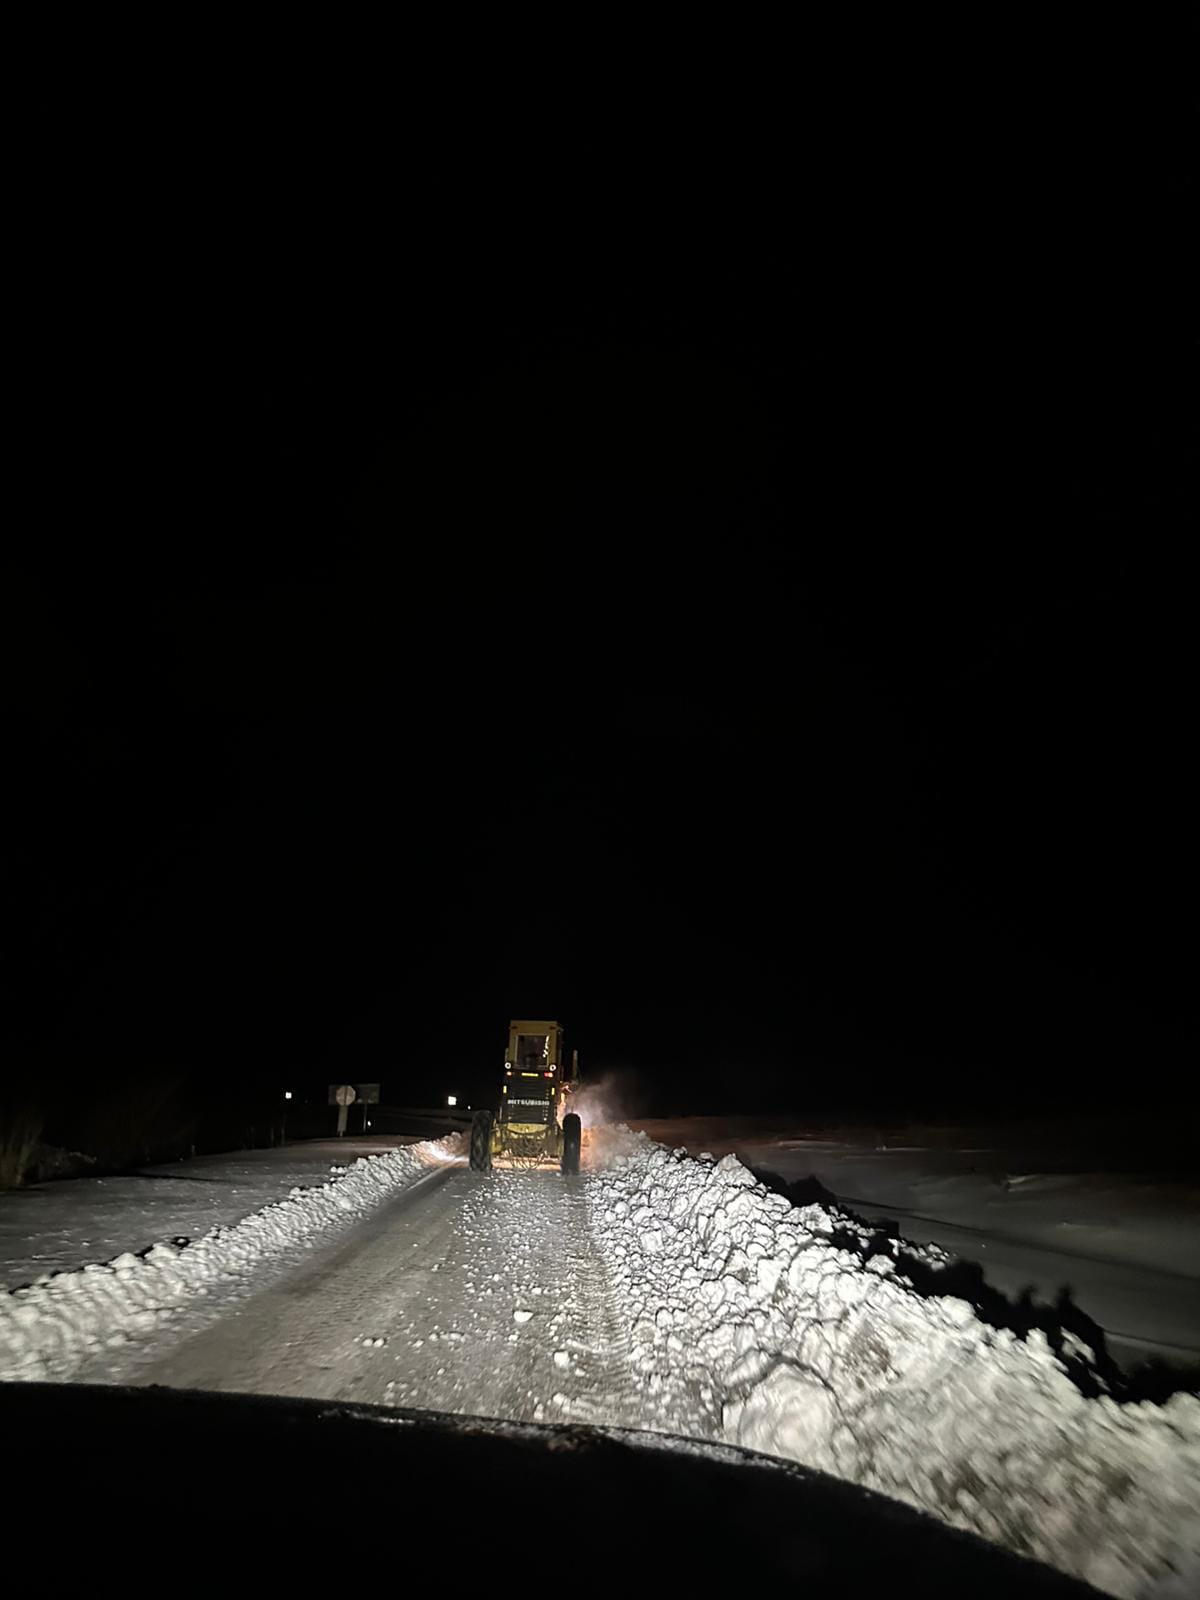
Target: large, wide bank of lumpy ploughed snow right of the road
x,y
754,1324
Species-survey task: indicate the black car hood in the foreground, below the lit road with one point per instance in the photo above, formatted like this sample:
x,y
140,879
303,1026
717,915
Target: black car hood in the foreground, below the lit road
x,y
233,1490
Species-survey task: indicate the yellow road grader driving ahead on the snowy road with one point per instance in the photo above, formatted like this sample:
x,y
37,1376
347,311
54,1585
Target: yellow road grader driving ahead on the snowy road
x,y
530,1124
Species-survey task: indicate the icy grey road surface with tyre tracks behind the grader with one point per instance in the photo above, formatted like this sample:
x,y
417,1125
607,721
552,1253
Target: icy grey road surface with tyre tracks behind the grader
x,y
484,1297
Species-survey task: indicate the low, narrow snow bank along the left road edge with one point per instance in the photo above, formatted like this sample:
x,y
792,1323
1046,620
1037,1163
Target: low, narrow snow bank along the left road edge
x,y
52,1327
